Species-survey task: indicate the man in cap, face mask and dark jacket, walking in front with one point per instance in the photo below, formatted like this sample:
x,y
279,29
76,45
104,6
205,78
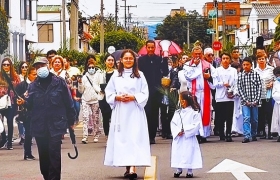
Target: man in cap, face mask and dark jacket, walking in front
x,y
52,111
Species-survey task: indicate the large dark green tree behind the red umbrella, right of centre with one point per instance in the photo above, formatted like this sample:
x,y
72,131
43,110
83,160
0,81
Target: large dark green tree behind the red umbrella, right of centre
x,y
175,28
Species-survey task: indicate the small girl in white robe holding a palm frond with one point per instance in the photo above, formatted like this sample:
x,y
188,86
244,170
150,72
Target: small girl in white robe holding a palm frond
x,y
185,125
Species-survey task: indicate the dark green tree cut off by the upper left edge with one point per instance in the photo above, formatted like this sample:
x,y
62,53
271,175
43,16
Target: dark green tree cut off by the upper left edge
x,y
4,31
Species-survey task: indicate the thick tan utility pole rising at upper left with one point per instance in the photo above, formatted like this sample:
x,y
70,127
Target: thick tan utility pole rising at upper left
x,y
74,25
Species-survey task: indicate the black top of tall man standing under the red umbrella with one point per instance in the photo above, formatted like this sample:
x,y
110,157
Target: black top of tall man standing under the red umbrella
x,y
154,68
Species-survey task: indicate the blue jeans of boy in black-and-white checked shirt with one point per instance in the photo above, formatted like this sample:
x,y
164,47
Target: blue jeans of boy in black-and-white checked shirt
x,y
250,121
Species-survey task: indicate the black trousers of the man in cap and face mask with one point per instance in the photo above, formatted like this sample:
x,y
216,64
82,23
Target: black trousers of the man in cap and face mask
x,y
49,149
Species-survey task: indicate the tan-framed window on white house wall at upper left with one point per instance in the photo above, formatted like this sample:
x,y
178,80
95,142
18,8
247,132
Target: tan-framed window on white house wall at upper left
x,y
45,33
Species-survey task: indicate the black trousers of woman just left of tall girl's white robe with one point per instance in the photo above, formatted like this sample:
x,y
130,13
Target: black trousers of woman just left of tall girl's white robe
x,y
106,112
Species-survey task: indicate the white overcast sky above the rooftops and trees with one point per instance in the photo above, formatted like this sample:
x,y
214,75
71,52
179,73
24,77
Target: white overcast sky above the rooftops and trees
x,y
145,8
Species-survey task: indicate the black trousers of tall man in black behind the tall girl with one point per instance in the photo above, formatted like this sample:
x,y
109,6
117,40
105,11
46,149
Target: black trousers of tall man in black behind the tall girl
x,y
152,113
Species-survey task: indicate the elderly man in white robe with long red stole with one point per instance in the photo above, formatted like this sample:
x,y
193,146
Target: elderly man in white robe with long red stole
x,y
200,74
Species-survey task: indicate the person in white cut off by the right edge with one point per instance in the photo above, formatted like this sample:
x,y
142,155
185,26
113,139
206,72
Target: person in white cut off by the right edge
x,y
275,122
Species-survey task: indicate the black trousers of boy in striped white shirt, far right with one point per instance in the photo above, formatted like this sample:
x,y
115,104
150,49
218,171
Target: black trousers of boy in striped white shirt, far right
x,y
265,115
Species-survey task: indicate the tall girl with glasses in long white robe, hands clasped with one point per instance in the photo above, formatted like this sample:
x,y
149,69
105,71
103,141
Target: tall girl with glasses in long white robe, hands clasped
x,y
127,94
